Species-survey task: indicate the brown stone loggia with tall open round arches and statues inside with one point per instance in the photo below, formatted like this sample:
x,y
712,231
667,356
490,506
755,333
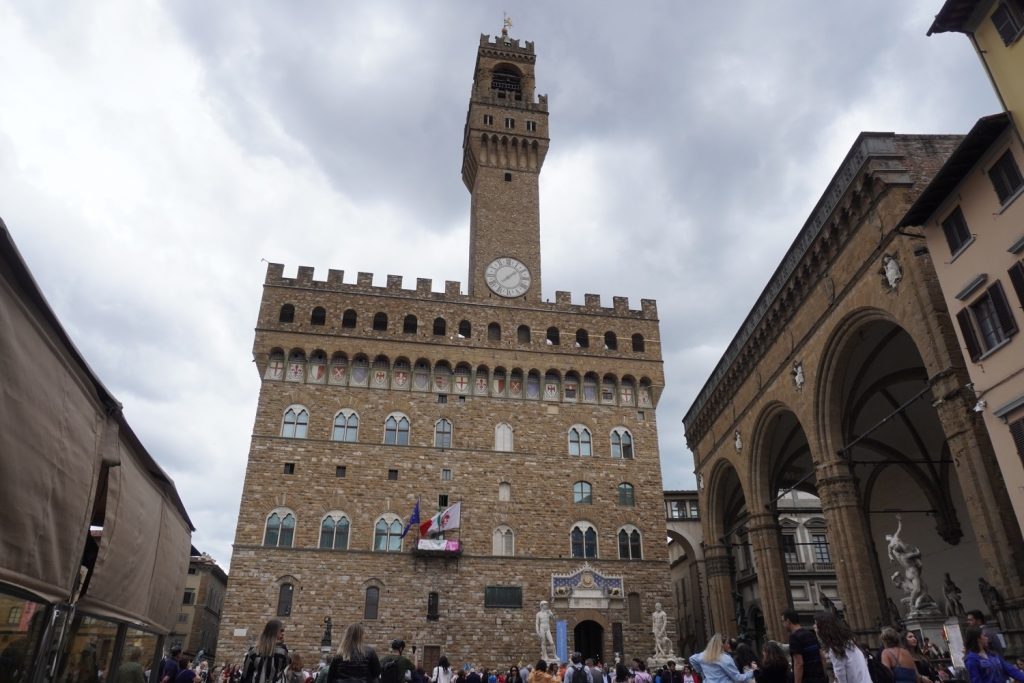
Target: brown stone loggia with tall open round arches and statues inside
x,y
847,381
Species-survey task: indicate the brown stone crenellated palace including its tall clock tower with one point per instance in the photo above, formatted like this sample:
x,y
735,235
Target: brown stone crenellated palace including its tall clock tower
x,y
538,418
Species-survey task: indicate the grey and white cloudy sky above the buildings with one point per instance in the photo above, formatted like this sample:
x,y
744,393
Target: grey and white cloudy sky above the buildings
x,y
153,155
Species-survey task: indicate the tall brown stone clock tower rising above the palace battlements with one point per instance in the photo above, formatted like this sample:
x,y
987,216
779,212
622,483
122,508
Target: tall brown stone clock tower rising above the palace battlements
x,y
506,140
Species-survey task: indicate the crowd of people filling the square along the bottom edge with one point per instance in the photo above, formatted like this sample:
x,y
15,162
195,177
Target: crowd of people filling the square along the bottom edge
x,y
828,653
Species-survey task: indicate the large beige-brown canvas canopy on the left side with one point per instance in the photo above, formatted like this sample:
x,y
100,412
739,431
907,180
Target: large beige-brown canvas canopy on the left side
x,y
59,426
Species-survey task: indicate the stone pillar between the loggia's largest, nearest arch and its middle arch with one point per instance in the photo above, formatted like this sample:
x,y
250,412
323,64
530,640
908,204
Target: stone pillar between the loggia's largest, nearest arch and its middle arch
x,y
850,538
